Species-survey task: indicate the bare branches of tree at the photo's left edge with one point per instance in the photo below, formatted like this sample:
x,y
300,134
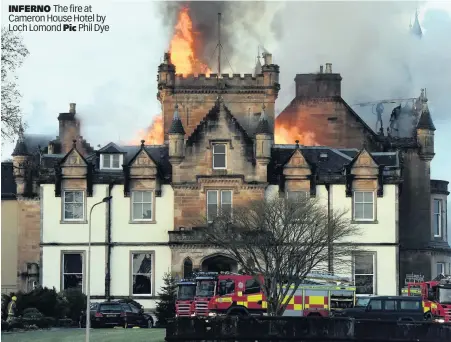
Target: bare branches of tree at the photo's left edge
x,y
13,54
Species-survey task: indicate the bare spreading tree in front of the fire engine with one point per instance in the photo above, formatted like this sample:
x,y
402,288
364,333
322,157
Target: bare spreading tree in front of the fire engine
x,y
281,241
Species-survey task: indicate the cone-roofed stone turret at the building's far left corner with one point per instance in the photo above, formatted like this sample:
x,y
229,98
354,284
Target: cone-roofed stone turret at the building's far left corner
x,y
21,163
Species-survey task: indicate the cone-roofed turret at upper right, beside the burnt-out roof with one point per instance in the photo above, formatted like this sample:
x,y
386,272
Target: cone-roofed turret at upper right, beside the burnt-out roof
x,y
425,130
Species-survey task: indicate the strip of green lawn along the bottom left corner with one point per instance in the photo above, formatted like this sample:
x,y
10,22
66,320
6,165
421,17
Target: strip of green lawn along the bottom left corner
x,y
78,335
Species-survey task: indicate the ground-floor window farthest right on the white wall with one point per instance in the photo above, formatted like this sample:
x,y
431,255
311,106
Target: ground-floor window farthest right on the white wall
x,y
364,273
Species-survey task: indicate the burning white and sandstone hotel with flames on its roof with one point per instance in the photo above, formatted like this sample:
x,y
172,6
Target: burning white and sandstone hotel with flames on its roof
x,y
221,146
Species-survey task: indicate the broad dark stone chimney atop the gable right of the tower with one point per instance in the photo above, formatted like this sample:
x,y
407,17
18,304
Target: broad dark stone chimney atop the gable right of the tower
x,y
319,85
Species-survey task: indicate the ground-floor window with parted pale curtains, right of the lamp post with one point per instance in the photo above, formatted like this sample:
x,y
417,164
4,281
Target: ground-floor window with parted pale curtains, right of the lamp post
x,y
141,273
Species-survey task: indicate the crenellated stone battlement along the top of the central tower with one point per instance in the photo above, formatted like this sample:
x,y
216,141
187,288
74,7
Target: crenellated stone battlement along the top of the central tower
x,y
211,80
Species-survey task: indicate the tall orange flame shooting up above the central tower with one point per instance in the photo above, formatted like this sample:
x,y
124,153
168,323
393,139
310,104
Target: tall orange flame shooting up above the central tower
x,y
182,47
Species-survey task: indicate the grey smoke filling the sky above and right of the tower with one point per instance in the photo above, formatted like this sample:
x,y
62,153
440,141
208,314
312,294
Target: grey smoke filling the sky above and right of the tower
x,y
368,43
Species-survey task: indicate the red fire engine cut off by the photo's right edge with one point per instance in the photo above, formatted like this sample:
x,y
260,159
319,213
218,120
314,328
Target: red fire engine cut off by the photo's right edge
x,y
436,296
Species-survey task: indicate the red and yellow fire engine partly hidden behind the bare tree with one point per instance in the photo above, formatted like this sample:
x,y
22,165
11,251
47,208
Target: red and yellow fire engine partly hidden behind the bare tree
x,y
238,295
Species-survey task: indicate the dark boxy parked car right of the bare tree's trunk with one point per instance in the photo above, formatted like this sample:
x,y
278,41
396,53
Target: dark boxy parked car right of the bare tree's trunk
x,y
399,308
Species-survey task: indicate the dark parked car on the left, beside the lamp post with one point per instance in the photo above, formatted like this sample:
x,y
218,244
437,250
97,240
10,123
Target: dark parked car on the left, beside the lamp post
x,y
113,313
